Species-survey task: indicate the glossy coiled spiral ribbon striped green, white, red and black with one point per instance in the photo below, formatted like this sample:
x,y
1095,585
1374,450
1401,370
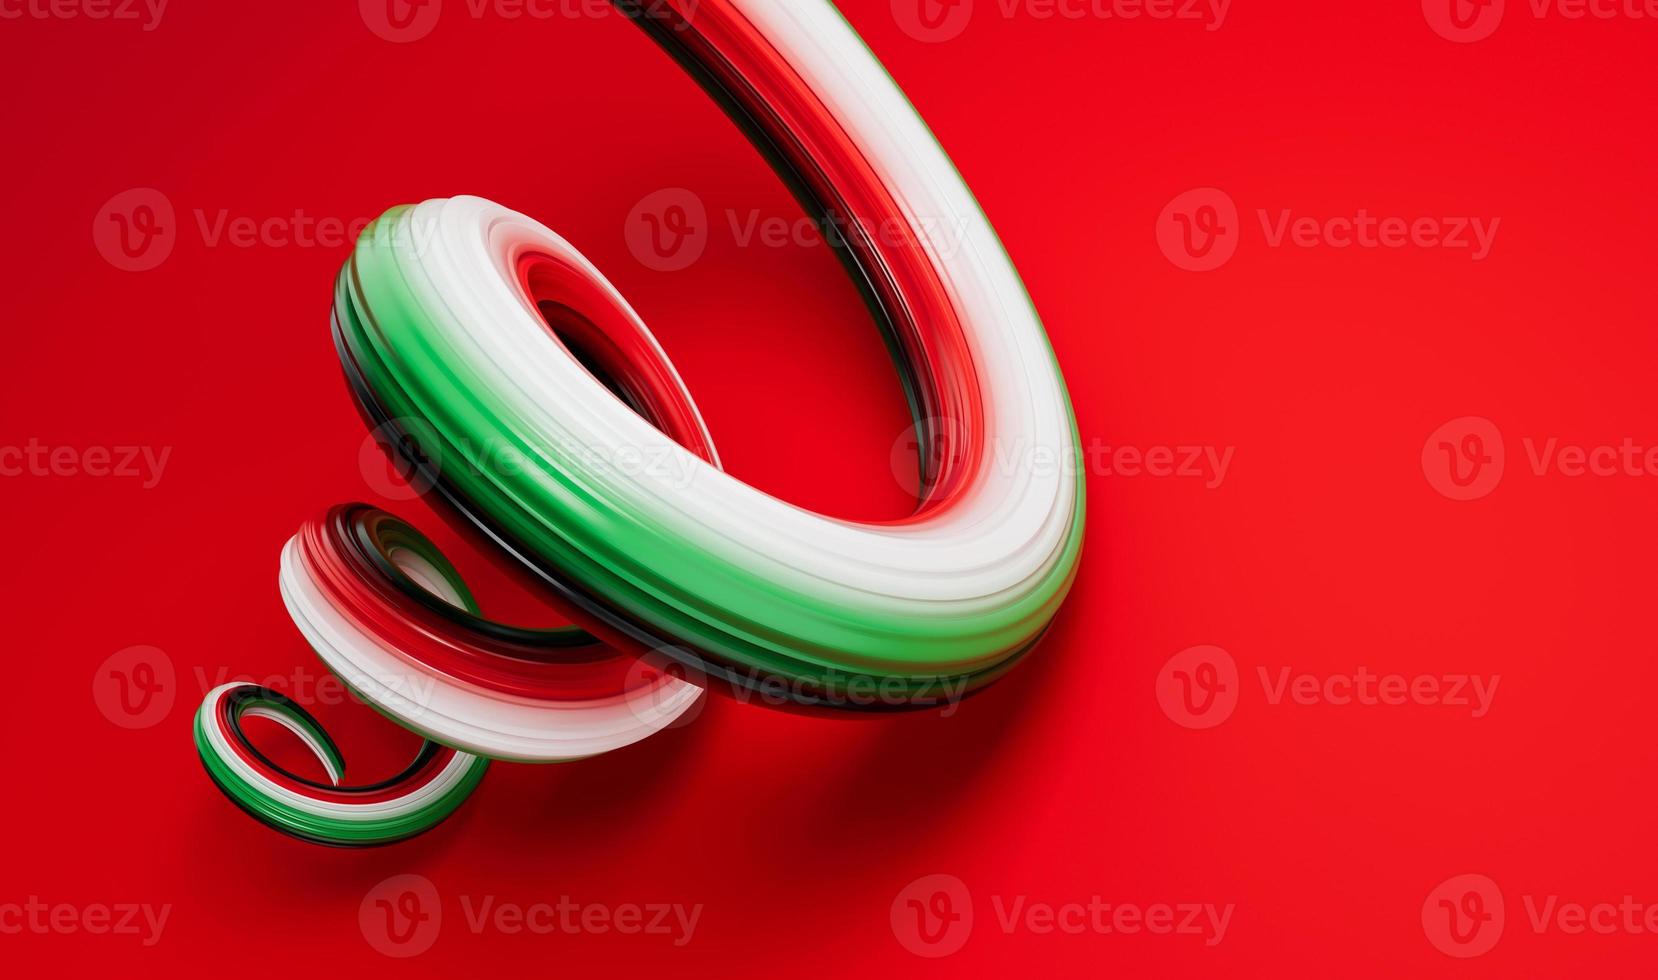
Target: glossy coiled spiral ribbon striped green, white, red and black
x,y
525,392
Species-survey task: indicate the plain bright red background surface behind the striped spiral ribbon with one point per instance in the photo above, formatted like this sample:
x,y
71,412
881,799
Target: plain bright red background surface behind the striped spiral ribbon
x,y
1326,550
